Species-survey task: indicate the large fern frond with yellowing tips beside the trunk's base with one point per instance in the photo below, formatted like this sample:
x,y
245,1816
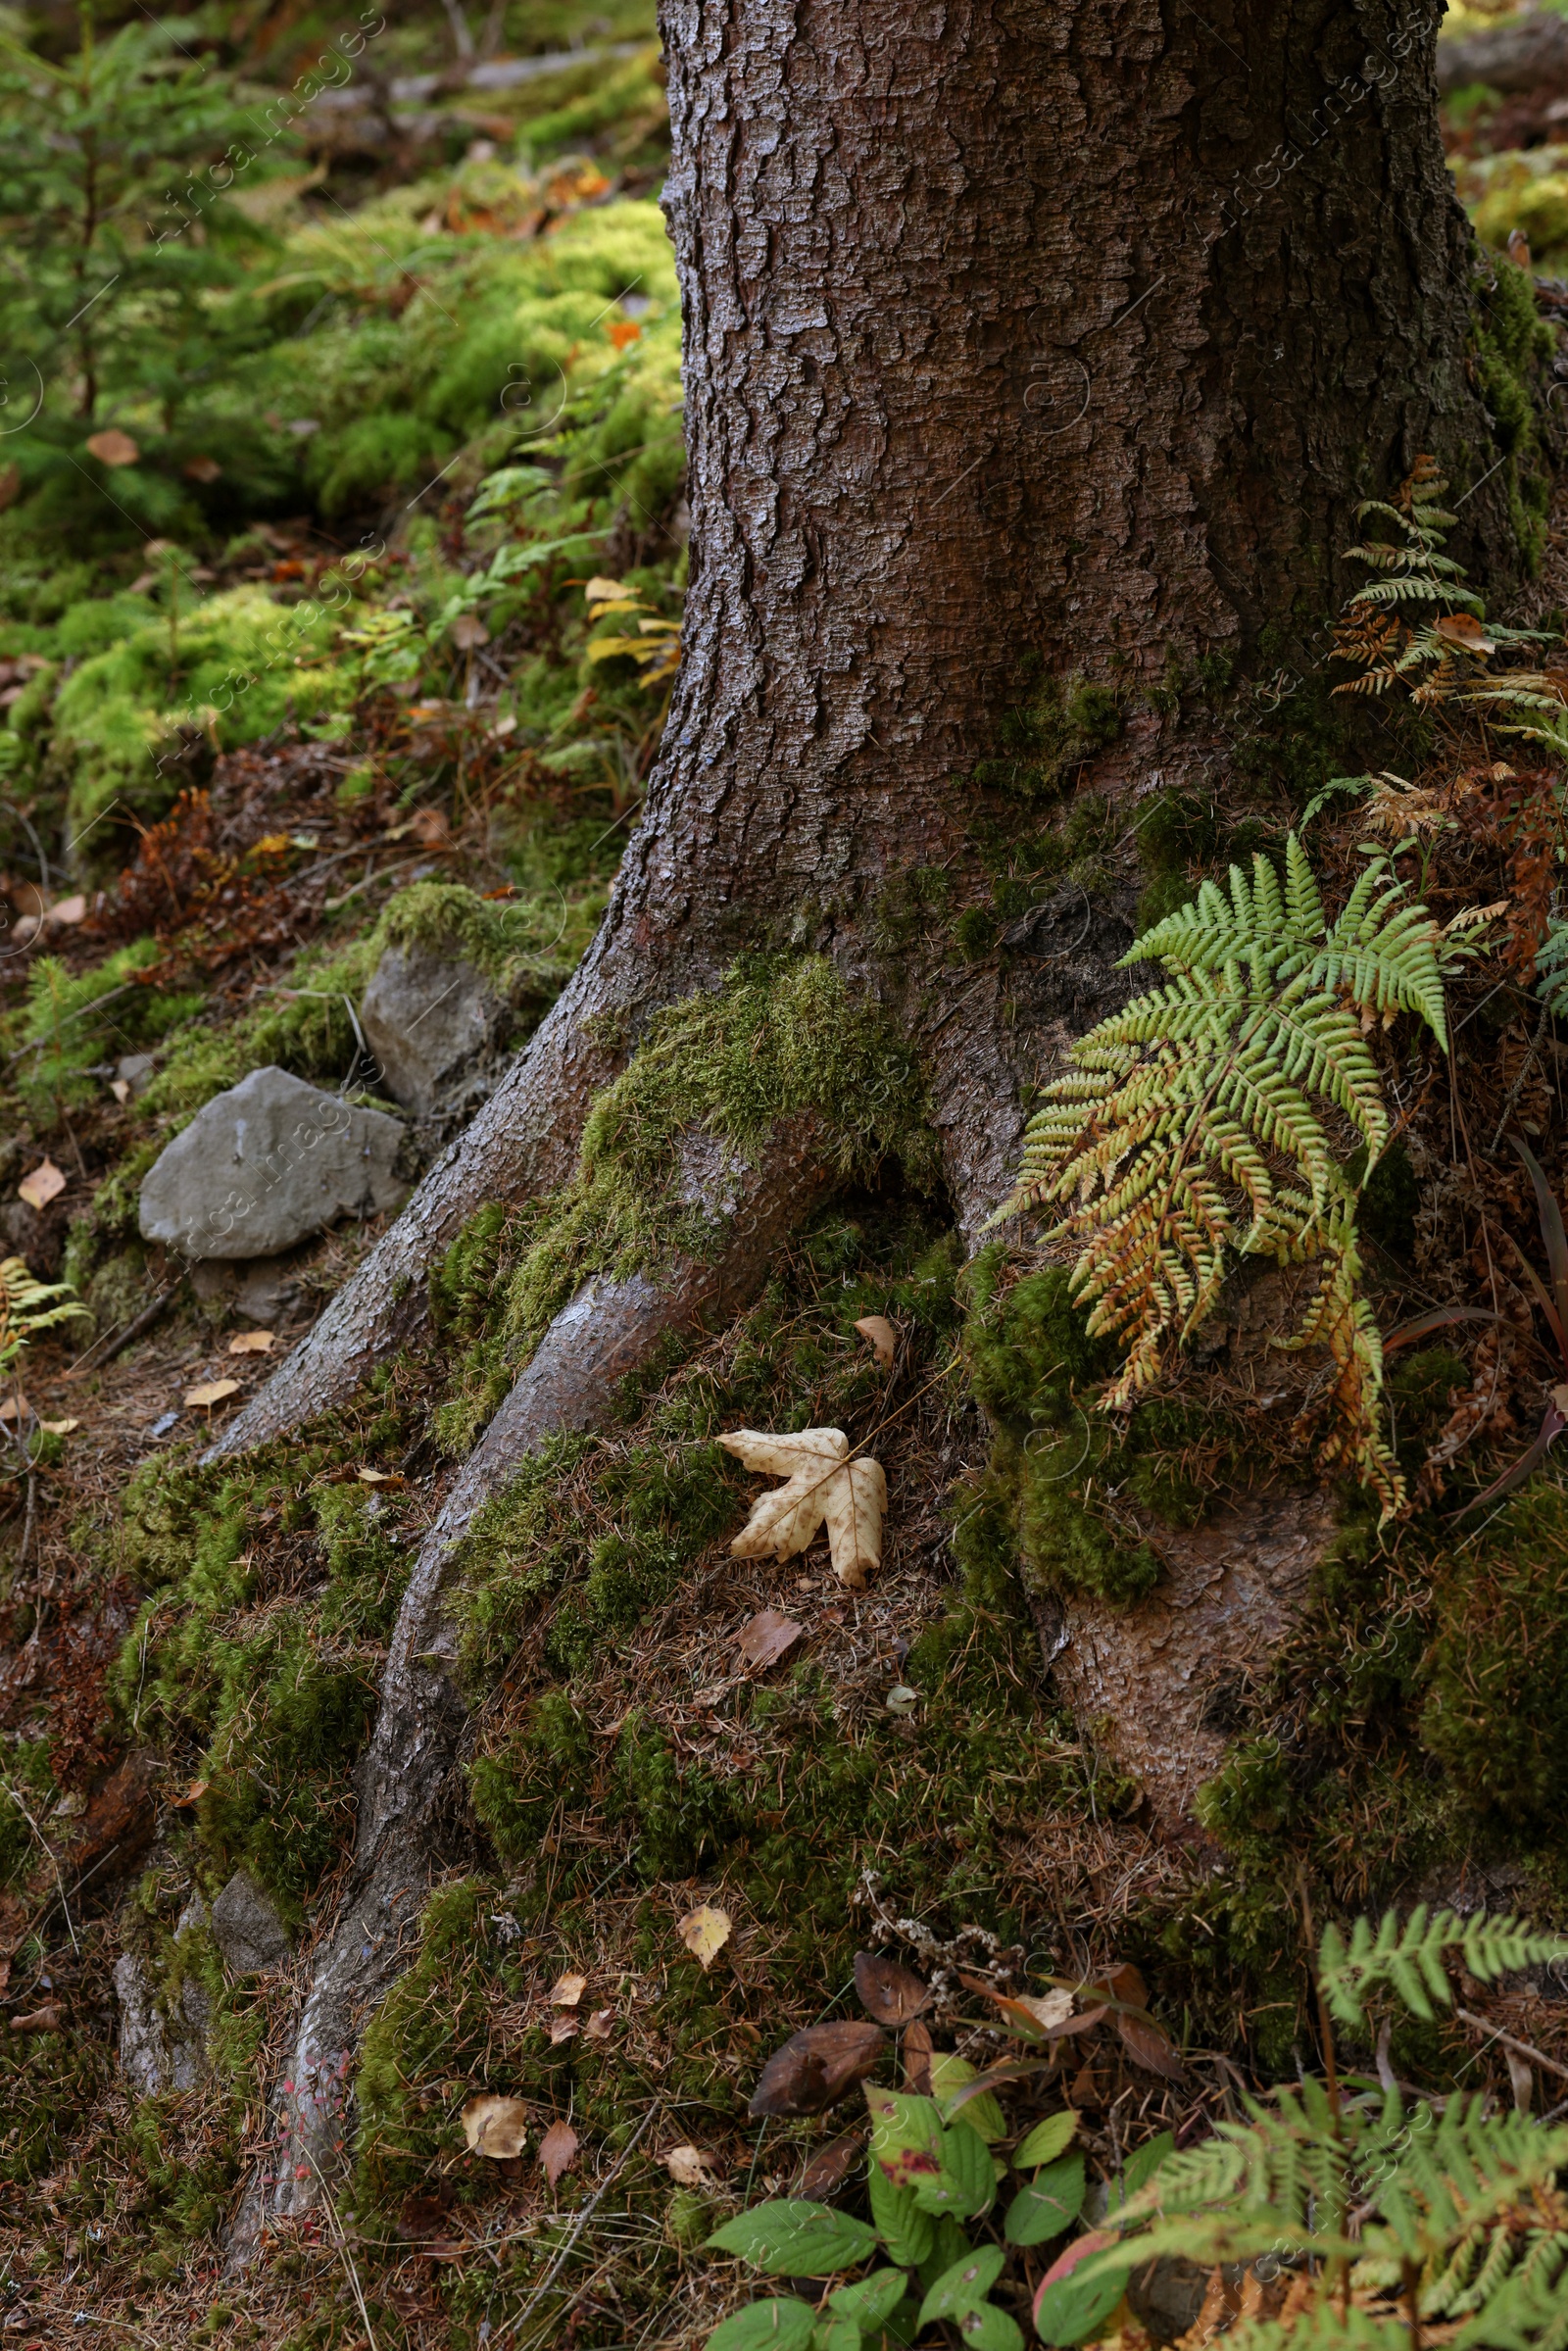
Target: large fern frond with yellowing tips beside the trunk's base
x,y
1193,1123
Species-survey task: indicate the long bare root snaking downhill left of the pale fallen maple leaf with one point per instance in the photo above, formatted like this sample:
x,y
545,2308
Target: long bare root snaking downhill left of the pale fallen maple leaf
x,y
605,1332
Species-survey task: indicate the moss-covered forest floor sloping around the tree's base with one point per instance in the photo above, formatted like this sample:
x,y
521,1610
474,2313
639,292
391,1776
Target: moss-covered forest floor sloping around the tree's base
x,y
347,702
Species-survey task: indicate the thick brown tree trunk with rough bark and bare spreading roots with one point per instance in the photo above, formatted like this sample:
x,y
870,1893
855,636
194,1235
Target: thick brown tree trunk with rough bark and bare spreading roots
x,y
1031,349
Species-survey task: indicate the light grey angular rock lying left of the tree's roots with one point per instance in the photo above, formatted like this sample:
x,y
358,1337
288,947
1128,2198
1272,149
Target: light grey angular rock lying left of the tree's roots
x,y
267,1165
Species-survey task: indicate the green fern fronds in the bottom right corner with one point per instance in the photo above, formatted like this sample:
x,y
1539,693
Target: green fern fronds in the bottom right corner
x,y
1346,2211
